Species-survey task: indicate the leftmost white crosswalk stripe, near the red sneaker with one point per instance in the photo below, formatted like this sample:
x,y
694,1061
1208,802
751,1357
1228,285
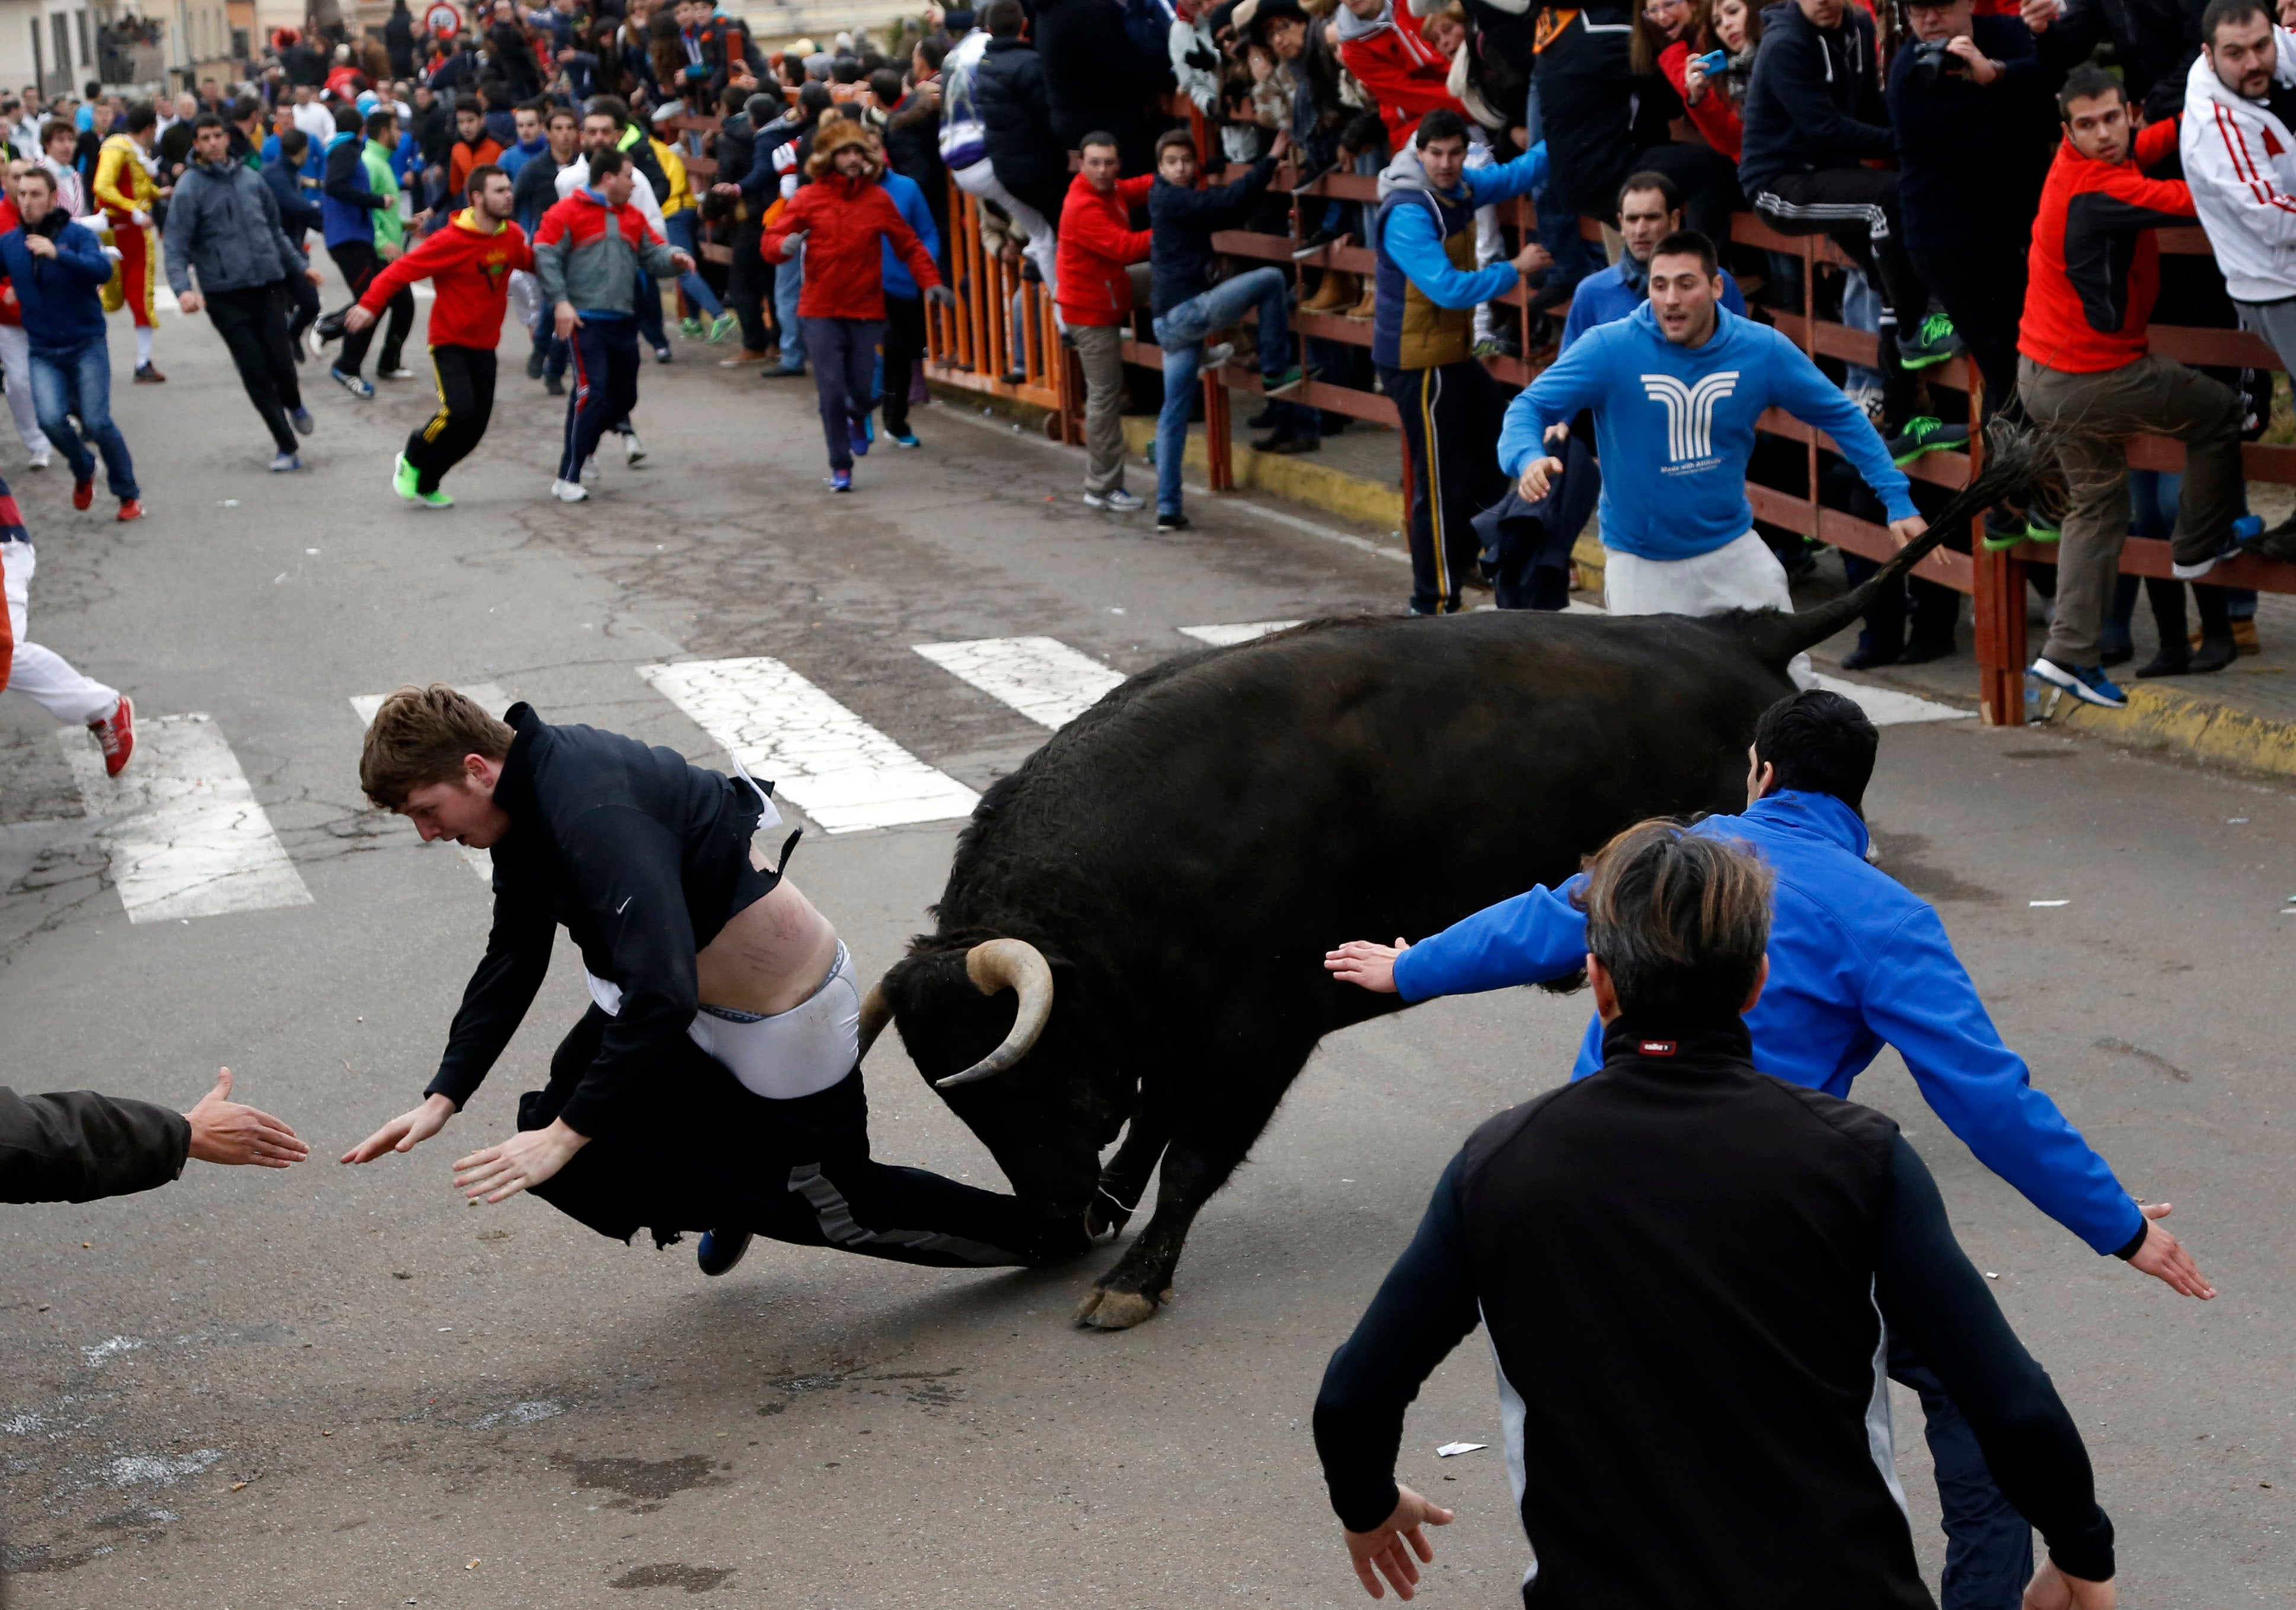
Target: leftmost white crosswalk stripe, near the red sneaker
x,y
185,837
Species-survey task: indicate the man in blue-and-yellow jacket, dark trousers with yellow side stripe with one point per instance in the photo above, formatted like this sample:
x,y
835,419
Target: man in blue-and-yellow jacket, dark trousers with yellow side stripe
x,y
1422,339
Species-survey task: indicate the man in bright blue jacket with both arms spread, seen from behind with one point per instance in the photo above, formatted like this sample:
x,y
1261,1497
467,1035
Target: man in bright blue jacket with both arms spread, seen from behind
x,y
1856,963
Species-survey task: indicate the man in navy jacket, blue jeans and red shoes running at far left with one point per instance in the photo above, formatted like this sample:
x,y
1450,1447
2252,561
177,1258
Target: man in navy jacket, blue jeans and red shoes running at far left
x,y
59,270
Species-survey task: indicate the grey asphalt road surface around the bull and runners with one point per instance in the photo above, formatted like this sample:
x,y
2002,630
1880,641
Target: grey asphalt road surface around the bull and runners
x,y
346,1388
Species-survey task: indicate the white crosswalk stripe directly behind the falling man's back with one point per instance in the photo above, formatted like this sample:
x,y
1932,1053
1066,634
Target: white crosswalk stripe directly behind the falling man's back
x,y
816,752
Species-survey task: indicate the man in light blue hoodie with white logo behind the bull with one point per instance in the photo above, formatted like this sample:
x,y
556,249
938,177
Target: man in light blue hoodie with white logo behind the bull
x,y
1675,392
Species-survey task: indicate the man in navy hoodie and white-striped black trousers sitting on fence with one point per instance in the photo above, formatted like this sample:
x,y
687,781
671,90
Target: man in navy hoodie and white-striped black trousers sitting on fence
x,y
1813,118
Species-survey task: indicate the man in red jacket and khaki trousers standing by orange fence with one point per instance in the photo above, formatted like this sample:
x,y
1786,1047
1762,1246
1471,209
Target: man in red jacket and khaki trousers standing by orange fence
x,y
1099,256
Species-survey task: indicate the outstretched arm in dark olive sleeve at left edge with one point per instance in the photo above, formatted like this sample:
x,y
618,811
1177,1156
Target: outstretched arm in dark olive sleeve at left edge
x,y
77,1145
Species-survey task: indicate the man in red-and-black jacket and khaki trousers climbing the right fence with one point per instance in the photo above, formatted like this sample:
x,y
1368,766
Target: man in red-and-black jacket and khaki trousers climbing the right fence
x,y
2086,371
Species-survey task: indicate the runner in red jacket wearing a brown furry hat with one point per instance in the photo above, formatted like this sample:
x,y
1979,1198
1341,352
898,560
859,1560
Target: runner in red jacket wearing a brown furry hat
x,y
844,217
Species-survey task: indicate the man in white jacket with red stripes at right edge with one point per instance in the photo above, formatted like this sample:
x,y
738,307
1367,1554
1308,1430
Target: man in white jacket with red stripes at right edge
x,y
2240,160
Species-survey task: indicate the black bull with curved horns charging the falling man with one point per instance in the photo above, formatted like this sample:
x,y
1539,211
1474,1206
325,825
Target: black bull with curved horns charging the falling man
x,y
1186,851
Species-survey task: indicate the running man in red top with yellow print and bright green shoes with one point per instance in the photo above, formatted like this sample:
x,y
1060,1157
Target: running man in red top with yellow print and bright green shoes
x,y
470,263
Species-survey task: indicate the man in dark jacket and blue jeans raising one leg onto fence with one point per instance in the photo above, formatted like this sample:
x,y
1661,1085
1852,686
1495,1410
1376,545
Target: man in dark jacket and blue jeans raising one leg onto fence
x,y
1190,307
